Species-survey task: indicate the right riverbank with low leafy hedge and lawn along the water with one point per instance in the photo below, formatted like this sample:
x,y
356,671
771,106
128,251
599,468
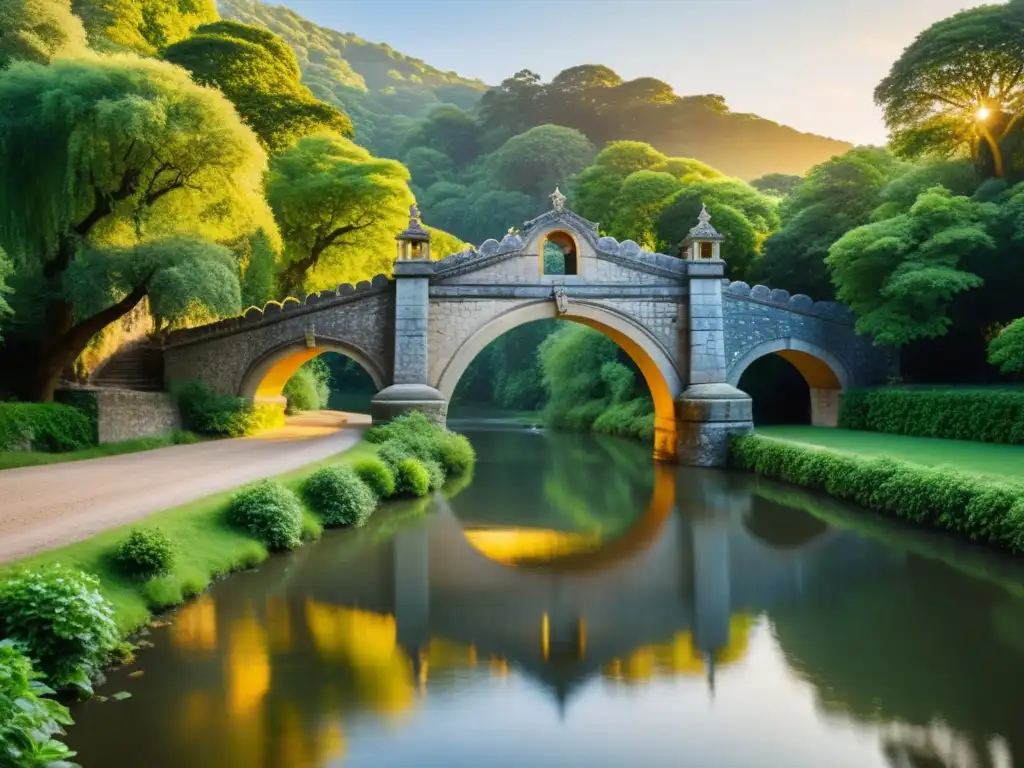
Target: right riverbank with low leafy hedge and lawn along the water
x,y
984,506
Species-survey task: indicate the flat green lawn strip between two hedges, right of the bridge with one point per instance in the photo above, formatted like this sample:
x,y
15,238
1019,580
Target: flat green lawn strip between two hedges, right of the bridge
x,y
992,460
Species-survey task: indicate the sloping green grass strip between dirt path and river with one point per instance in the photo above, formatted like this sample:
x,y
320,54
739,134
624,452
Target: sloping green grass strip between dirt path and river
x,y
207,548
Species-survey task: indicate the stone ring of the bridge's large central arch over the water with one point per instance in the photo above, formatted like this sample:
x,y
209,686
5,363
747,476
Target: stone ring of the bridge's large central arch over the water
x,y
648,353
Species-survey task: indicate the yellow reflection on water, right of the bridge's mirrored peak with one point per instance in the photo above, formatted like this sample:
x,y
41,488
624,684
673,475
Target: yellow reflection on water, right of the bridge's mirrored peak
x,y
679,657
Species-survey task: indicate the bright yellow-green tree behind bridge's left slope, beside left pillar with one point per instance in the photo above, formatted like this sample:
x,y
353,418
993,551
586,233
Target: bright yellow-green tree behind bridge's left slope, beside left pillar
x,y
339,209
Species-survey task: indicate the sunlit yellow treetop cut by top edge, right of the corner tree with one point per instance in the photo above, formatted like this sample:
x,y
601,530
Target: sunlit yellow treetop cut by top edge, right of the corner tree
x,y
142,26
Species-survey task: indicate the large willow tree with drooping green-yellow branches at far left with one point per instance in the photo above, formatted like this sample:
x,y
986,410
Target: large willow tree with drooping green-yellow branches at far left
x,y
98,158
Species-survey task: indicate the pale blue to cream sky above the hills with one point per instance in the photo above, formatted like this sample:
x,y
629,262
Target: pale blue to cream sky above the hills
x,y
813,65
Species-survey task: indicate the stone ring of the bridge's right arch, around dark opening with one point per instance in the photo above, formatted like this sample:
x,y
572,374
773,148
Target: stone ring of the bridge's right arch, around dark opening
x,y
825,374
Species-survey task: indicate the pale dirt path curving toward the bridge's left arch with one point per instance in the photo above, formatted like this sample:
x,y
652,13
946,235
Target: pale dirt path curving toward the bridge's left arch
x,y
46,507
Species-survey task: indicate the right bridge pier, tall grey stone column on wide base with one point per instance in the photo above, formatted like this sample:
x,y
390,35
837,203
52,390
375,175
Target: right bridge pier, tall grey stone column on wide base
x,y
711,409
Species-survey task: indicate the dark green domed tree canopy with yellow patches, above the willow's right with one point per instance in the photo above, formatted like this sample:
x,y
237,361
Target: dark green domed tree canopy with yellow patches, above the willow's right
x,y
259,72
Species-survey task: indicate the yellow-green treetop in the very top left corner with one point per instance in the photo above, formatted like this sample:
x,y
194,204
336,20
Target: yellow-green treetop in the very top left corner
x,y
38,31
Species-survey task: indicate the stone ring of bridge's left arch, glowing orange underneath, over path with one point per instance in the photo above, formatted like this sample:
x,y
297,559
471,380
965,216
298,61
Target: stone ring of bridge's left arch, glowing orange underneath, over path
x,y
266,378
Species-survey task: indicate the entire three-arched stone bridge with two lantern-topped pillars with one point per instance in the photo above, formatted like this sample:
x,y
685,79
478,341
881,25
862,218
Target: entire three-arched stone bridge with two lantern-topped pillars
x,y
691,332
